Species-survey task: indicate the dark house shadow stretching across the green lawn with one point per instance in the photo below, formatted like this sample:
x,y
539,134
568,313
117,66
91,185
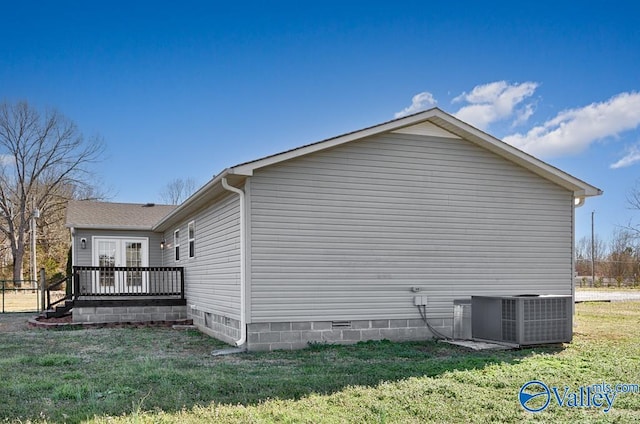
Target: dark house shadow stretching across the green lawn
x,y
75,375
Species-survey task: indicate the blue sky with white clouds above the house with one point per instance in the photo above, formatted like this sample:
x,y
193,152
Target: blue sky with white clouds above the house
x,y
185,89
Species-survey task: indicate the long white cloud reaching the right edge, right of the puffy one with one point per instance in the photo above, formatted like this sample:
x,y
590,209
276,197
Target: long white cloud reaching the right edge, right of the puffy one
x,y
573,130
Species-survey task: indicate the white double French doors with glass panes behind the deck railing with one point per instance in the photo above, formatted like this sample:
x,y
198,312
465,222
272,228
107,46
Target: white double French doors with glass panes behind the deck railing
x,y
121,252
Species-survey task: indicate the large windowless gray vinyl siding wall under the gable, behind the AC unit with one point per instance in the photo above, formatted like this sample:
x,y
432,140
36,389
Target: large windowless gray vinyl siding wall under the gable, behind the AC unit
x,y
345,234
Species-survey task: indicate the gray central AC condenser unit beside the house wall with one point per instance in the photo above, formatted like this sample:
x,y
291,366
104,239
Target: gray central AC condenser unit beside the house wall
x,y
523,320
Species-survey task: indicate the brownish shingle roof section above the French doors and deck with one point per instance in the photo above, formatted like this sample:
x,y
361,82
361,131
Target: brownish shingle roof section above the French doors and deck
x,y
105,215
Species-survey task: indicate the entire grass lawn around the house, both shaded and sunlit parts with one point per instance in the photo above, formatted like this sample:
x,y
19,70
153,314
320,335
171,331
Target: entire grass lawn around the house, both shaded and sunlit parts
x,y
163,375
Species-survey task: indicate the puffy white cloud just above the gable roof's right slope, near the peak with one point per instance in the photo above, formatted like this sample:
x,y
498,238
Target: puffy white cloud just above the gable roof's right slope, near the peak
x,y
496,101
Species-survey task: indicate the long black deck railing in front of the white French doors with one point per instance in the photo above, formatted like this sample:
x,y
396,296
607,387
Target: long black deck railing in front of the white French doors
x,y
128,281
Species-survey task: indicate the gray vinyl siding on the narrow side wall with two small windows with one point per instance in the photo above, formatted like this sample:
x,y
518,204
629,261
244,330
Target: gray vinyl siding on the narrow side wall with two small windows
x,y
212,277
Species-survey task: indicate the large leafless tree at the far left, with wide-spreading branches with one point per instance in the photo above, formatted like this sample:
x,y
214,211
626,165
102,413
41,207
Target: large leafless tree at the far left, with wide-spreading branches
x,y
42,156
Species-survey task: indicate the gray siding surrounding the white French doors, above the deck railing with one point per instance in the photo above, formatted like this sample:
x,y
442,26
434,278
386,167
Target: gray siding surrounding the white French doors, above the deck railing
x,y
83,257
